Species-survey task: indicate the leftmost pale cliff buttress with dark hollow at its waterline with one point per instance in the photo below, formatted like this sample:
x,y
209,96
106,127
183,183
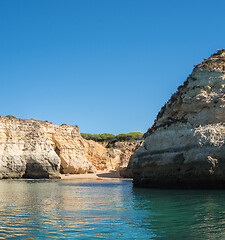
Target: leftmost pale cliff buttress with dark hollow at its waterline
x,y
25,151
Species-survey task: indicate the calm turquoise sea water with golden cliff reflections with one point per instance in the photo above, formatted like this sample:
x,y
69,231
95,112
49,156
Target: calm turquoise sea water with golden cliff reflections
x,y
94,209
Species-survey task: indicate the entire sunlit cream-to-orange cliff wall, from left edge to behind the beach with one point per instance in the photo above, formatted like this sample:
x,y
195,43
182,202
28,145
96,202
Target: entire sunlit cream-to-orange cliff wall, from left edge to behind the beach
x,y
37,149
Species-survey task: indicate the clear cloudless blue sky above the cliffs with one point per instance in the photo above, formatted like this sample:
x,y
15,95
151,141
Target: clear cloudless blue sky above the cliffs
x,y
105,65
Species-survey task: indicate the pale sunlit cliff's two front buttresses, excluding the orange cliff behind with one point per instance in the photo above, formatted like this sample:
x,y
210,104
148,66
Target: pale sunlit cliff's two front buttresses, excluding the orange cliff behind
x,y
36,149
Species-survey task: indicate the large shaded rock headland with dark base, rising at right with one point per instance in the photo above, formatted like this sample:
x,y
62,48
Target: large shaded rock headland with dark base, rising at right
x,y
185,148
